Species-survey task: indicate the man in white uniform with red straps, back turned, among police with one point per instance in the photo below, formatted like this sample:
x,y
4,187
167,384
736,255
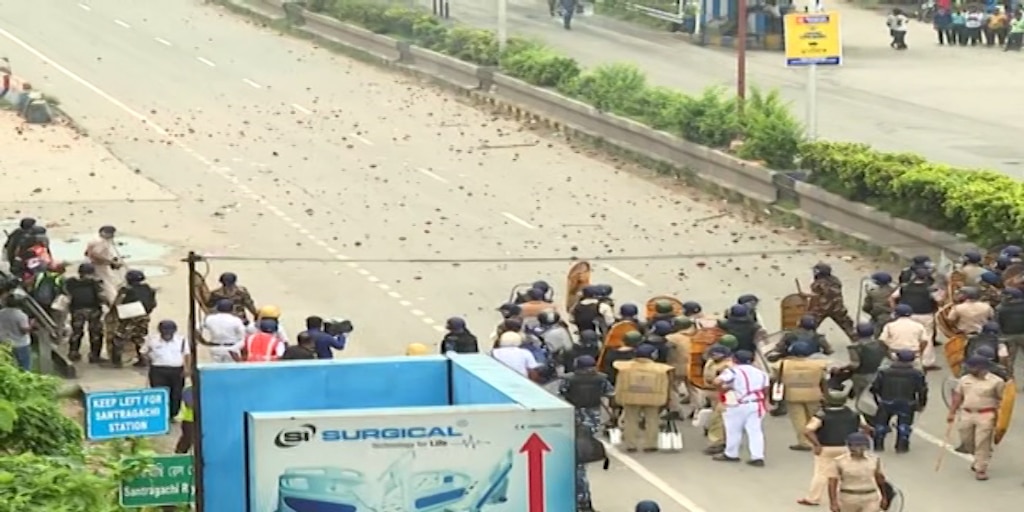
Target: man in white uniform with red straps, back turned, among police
x,y
745,388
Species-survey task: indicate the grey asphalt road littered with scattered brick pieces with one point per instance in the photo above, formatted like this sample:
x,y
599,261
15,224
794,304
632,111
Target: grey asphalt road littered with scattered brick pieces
x,y
289,153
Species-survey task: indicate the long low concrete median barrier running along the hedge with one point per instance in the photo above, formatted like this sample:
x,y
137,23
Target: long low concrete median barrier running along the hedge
x,y
777,196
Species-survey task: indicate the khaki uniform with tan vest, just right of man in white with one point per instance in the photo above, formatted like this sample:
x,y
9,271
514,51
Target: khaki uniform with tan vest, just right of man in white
x,y
803,378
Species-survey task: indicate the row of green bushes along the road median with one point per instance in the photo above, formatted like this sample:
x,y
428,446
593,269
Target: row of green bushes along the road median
x,y
986,206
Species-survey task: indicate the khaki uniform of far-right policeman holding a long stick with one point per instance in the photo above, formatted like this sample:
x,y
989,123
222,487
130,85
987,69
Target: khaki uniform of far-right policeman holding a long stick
x,y
977,416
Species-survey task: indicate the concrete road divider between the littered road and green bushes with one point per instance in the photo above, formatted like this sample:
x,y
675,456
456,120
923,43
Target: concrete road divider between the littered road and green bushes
x,y
818,209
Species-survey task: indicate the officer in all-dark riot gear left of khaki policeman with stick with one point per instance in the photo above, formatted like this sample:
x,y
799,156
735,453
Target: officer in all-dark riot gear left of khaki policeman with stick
x,y
901,392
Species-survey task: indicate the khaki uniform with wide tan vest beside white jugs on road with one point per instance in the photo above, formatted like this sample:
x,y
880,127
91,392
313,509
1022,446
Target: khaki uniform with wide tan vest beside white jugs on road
x,y
643,389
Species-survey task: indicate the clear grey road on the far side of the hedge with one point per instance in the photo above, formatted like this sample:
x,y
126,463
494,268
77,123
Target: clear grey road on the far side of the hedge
x,y
924,101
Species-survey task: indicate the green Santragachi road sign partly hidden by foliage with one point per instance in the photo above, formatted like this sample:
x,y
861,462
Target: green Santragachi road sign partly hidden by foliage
x,y
170,482
